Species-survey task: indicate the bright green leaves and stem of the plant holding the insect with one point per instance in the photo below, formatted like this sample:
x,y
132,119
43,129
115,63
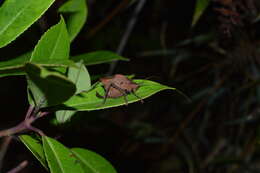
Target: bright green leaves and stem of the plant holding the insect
x,y
58,82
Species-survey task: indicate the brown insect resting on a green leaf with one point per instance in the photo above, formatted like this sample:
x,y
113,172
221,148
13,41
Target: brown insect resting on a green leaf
x,y
118,86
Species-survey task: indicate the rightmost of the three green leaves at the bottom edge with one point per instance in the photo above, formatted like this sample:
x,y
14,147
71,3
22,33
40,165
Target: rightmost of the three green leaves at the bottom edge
x,y
92,162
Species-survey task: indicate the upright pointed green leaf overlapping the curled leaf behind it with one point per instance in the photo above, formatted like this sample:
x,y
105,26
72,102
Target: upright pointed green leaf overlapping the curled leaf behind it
x,y
53,45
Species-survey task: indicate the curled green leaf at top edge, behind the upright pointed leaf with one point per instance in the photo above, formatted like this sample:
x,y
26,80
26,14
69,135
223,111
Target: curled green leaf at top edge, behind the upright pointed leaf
x,y
77,16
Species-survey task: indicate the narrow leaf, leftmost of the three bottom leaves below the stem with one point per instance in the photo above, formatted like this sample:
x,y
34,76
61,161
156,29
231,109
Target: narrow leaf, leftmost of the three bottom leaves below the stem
x,y
35,146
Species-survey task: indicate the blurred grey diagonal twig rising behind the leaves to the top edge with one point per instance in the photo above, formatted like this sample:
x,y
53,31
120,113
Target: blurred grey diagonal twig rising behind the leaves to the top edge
x,y
128,31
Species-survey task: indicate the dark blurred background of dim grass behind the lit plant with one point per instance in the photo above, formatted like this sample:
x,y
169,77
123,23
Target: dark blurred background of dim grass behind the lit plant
x,y
215,63
